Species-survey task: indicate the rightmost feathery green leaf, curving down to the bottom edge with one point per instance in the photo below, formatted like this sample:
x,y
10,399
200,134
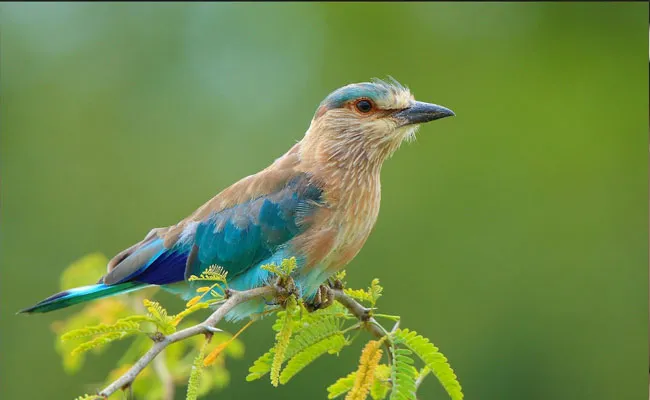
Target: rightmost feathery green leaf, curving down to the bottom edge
x,y
433,359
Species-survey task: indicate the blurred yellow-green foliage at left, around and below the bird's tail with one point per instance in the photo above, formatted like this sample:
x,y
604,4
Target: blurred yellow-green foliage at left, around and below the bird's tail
x,y
120,314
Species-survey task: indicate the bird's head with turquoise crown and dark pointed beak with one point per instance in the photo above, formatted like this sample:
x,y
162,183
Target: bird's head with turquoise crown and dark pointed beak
x,y
367,122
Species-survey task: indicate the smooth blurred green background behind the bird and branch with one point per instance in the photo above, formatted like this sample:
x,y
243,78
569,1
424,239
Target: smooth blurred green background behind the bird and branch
x,y
514,235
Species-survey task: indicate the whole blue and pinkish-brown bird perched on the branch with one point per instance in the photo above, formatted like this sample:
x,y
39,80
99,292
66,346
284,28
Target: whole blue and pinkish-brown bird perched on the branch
x,y
317,203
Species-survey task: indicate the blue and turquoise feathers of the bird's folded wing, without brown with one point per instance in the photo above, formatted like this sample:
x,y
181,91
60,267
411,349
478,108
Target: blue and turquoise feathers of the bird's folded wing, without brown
x,y
240,237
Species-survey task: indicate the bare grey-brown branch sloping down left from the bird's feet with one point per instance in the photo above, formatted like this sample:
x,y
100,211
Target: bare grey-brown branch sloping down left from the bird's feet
x,y
206,327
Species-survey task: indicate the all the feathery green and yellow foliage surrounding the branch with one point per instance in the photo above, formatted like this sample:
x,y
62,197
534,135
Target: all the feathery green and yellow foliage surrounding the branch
x,y
301,338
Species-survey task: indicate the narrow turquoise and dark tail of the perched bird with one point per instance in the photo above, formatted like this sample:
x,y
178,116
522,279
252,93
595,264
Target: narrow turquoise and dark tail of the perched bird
x,y
80,295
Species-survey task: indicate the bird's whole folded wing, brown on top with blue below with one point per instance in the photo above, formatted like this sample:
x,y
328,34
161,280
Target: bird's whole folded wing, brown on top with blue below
x,y
236,229
